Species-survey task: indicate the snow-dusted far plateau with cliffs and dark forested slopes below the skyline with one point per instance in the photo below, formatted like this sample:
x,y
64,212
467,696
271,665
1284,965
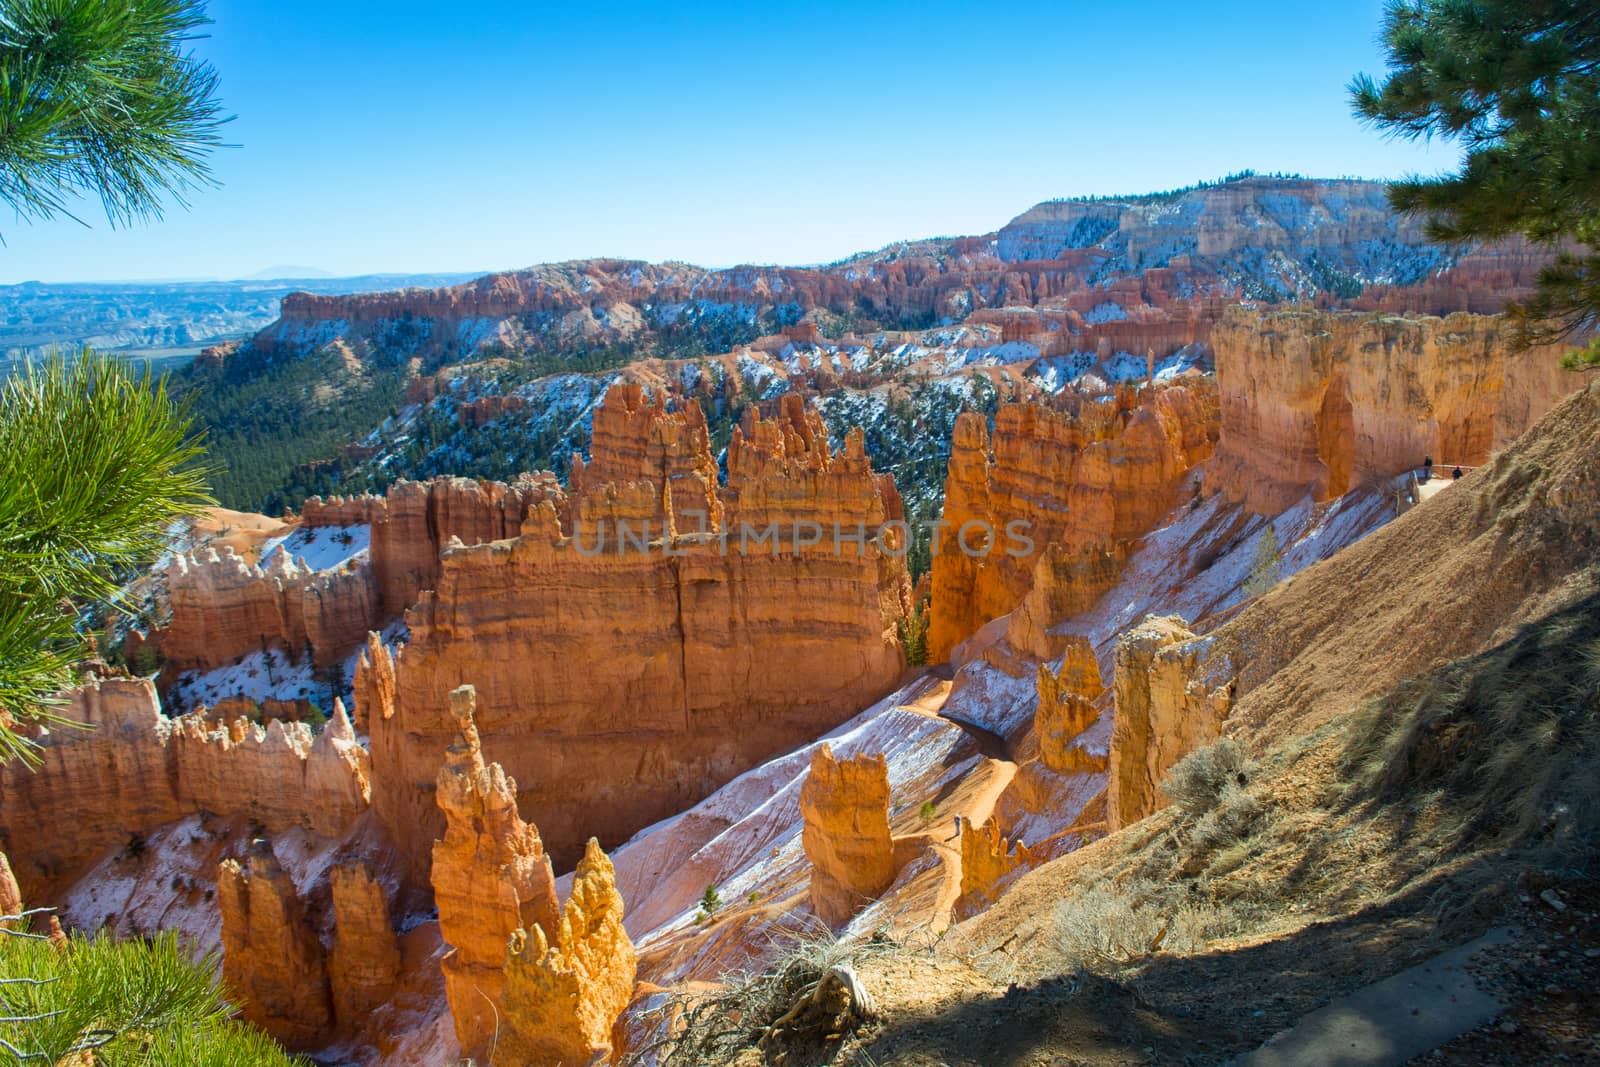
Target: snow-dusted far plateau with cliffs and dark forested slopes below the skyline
x,y
350,391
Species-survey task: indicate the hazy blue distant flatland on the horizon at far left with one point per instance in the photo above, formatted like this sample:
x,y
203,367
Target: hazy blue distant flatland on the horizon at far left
x,y
164,318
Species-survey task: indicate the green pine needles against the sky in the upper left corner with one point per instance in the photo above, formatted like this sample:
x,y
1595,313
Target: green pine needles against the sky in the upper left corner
x,y
102,98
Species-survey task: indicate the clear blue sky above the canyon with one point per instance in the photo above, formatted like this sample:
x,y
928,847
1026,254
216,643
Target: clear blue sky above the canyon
x,y
410,137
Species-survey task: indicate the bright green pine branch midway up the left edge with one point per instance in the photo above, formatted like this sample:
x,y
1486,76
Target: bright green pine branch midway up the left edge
x,y
95,466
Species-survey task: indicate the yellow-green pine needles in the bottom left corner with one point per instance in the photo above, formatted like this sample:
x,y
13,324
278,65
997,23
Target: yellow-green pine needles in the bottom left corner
x,y
126,1002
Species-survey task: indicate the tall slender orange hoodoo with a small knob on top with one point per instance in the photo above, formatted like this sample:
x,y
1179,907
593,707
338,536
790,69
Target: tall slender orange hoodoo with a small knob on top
x,y
490,879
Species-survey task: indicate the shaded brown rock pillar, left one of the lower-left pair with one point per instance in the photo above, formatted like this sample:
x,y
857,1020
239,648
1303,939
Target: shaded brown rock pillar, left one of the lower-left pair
x,y
271,956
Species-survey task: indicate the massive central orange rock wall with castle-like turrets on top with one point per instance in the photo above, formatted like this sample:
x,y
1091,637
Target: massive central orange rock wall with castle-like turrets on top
x,y
689,629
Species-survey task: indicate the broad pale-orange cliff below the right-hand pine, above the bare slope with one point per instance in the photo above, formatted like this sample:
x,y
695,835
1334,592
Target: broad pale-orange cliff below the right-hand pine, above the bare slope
x,y
1329,401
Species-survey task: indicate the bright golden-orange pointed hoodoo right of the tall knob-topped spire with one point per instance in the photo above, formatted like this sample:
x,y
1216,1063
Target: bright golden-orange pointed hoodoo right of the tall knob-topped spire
x,y
566,994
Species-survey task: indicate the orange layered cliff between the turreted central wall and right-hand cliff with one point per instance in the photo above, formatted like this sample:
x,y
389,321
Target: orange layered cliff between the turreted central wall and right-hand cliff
x,y
1074,487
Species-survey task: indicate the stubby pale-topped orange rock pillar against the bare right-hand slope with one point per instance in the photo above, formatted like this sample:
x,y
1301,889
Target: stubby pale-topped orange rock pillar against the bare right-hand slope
x,y
1164,713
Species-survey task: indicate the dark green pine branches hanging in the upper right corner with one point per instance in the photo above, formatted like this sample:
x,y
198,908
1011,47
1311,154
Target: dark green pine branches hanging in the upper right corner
x,y
1514,84
